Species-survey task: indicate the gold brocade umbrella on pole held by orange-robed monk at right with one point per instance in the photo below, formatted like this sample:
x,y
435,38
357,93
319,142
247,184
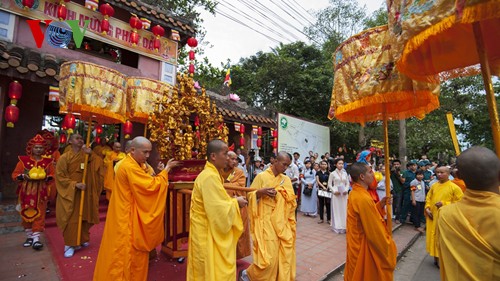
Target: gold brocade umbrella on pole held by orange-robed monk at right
x,y
368,87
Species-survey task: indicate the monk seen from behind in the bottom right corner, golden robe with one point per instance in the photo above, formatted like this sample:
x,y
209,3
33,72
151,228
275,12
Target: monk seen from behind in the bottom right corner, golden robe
x,y
467,231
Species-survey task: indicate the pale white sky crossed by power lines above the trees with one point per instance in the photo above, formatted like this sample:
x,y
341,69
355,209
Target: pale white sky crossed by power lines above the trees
x,y
231,40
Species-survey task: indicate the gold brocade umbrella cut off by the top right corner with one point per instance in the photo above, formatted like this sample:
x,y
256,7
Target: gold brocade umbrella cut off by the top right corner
x,y
439,40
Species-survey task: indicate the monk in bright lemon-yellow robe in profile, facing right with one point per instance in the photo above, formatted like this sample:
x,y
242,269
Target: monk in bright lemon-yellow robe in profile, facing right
x,y
215,222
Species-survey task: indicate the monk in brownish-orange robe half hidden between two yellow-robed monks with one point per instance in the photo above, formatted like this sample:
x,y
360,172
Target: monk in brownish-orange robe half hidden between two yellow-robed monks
x,y
234,176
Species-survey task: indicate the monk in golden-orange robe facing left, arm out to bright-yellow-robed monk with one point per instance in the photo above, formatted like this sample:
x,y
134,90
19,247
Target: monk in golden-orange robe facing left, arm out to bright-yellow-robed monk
x,y
272,223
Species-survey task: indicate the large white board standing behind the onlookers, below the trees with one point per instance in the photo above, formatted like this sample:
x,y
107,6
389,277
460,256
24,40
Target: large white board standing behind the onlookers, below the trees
x,y
298,135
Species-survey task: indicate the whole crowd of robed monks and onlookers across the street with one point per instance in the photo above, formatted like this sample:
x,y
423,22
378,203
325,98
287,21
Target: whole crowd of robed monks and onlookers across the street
x,y
241,206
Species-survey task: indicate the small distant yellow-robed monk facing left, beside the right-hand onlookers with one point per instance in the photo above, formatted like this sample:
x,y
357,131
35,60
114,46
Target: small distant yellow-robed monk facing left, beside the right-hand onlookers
x,y
442,193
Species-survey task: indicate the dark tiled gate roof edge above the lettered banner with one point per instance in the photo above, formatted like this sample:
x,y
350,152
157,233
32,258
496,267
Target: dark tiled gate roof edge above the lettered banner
x,y
156,15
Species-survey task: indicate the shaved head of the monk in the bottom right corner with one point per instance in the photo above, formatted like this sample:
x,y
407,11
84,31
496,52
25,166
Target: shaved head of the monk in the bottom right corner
x,y
479,167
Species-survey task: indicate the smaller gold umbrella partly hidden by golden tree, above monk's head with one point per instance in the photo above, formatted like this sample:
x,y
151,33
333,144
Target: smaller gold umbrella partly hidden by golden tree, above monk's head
x,y
142,94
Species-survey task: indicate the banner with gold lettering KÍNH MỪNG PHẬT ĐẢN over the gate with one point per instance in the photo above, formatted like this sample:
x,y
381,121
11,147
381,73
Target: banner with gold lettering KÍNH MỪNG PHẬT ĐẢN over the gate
x,y
119,31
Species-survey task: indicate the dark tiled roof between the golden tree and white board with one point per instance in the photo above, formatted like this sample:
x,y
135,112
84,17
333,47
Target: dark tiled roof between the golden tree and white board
x,y
240,112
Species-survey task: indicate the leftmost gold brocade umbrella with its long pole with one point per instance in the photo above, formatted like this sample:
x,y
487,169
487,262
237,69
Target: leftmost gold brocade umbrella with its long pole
x,y
95,92
